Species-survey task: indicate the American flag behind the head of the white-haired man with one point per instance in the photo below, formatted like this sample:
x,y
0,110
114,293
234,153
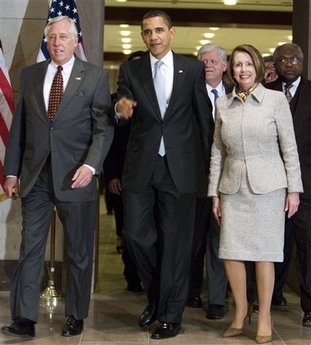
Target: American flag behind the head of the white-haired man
x,y
63,8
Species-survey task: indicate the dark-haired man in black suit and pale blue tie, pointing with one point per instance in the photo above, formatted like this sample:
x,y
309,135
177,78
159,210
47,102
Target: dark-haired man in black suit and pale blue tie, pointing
x,y
160,172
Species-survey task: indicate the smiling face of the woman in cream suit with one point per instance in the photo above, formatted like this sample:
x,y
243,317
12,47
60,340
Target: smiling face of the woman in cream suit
x,y
244,71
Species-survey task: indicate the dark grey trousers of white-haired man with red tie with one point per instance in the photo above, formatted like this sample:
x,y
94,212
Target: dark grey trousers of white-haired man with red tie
x,y
79,220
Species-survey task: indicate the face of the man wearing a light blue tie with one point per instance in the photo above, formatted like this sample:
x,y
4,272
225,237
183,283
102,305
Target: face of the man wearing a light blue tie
x,y
157,36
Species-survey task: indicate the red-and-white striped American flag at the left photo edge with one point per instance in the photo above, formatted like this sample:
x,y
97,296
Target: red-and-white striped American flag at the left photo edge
x,y
6,112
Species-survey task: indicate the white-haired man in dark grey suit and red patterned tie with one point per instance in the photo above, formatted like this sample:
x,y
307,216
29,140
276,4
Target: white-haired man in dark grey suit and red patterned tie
x,y
53,162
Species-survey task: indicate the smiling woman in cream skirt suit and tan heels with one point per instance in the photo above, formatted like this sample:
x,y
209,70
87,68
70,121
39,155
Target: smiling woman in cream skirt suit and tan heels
x,y
254,180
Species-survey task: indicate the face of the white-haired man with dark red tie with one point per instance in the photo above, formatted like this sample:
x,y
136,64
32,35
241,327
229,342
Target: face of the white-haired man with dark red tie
x,y
61,42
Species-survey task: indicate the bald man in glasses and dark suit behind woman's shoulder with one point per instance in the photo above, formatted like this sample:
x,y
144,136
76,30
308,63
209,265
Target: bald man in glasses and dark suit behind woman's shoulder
x,y
288,59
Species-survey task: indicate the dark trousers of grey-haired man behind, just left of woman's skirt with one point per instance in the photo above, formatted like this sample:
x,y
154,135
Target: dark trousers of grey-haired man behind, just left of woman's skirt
x,y
206,240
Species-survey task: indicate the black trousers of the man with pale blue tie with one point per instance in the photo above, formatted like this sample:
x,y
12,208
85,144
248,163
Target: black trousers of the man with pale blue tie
x,y
158,232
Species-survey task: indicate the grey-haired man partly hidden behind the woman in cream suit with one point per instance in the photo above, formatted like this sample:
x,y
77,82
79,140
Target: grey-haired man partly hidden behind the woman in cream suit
x,y
206,230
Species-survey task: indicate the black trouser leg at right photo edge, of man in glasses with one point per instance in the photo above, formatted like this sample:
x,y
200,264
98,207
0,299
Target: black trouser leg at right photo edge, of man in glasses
x,y
302,233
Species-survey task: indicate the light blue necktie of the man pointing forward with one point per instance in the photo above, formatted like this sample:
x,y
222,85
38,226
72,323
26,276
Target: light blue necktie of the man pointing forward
x,y
159,84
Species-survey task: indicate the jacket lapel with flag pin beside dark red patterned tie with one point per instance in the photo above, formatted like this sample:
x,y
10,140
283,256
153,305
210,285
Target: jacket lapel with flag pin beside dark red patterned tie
x,y
75,80
